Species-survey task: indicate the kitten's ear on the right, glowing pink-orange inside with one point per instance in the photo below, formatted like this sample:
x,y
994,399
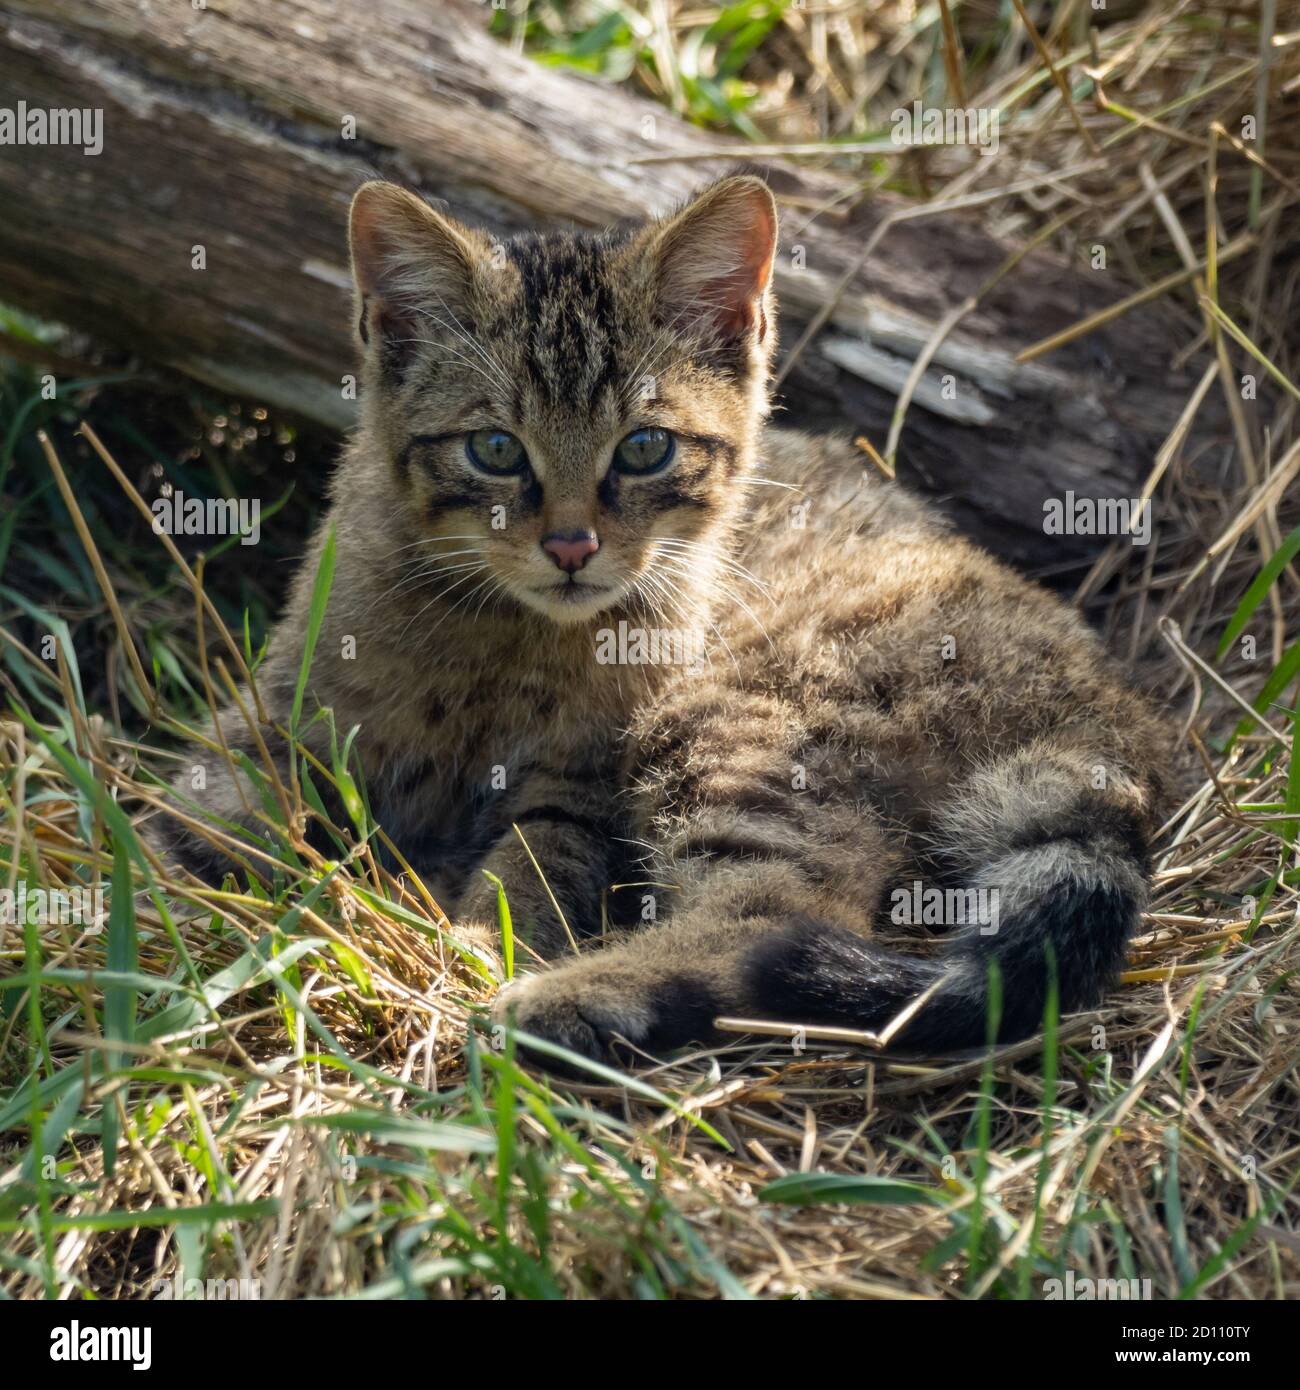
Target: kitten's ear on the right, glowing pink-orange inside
x,y
715,259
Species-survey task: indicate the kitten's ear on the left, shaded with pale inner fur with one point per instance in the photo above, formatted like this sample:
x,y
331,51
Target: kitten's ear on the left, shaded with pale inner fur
x,y
411,265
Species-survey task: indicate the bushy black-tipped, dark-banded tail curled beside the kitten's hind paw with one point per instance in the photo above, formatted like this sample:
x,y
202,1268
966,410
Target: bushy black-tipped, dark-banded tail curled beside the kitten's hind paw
x,y
1080,892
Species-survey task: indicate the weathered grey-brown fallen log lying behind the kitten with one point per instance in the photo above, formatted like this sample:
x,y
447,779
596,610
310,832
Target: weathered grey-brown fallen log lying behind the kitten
x,y
226,129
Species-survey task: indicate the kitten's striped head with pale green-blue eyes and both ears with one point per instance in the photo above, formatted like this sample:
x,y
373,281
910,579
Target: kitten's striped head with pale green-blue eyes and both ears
x,y
569,415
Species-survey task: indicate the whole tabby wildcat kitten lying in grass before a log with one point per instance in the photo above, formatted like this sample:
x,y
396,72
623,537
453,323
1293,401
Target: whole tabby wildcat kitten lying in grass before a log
x,y
562,439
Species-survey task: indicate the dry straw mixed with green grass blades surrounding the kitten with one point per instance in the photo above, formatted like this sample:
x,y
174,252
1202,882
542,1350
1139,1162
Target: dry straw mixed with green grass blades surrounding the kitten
x,y
283,1082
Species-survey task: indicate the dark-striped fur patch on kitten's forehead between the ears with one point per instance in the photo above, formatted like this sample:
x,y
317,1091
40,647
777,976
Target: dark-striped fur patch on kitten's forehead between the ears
x,y
572,329
